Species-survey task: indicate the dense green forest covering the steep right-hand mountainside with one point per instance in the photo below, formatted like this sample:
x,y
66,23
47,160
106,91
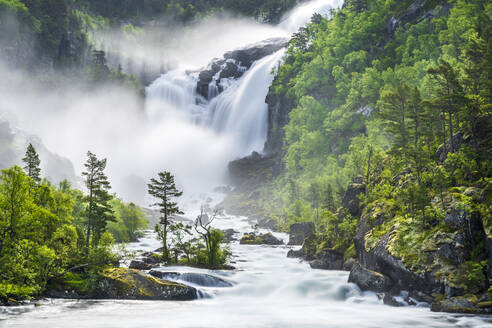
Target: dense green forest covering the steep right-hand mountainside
x,y
406,111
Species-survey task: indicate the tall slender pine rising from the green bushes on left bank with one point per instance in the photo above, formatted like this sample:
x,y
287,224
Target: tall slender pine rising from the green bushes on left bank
x,y
99,211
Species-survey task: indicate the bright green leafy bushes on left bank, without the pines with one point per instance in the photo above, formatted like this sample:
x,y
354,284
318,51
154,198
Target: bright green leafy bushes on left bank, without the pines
x,y
41,235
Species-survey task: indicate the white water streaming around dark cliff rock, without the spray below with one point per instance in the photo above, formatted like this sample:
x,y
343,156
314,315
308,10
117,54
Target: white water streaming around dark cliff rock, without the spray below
x,y
239,113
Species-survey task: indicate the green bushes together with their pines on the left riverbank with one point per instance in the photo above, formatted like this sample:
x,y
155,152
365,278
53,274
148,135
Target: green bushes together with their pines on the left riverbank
x,y
47,232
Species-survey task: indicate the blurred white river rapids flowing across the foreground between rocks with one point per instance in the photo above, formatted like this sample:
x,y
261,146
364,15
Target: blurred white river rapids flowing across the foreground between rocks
x,y
269,290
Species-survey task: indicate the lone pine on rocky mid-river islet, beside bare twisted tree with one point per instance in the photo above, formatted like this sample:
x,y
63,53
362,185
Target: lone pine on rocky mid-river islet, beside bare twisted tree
x,y
164,189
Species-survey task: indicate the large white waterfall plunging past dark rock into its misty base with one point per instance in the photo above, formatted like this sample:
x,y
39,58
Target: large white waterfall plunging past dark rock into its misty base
x,y
231,111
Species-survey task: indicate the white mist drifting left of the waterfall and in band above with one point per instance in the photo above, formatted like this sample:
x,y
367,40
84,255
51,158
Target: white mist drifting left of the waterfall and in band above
x,y
115,123
